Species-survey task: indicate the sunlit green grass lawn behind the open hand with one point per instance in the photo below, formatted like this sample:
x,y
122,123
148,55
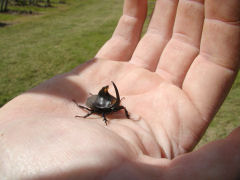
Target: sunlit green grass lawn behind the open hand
x,y
53,40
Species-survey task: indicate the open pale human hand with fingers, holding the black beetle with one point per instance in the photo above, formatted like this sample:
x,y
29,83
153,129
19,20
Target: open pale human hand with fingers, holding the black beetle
x,y
174,80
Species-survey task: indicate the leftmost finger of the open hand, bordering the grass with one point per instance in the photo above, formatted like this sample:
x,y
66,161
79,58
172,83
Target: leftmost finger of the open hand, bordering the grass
x,y
127,33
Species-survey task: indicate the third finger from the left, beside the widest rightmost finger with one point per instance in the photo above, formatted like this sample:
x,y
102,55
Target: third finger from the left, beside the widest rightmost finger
x,y
184,45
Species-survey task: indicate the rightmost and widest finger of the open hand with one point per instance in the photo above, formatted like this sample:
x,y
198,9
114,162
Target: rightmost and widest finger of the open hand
x,y
212,73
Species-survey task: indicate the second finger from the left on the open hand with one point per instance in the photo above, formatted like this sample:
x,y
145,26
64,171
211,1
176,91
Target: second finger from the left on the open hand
x,y
159,32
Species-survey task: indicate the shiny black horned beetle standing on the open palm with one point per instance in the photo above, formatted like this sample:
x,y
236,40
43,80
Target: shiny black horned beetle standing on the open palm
x,y
103,103
